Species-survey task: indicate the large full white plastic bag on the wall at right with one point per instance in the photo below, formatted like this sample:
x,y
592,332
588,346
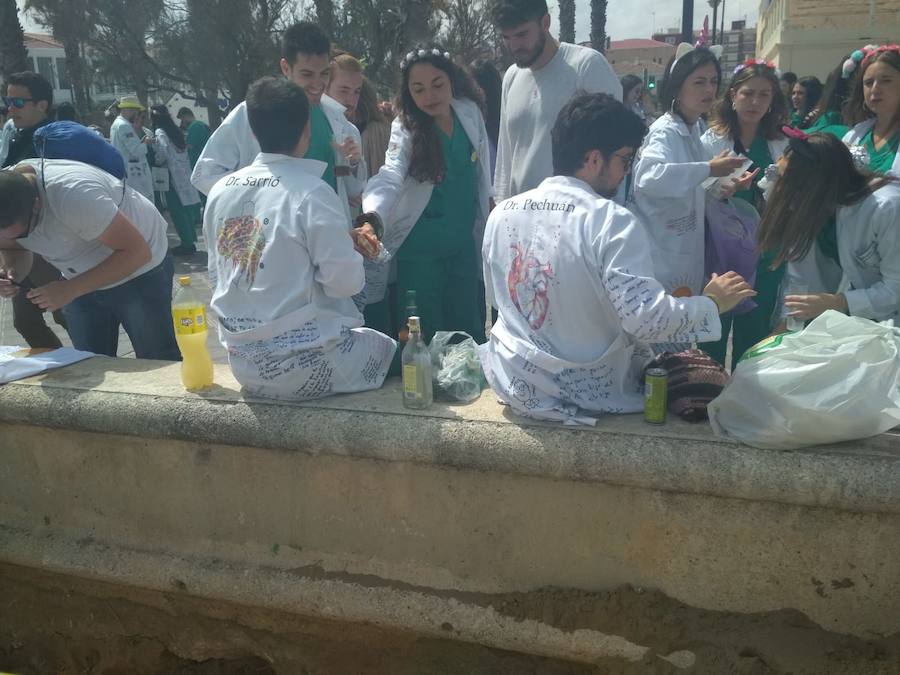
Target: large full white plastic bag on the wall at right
x,y
835,381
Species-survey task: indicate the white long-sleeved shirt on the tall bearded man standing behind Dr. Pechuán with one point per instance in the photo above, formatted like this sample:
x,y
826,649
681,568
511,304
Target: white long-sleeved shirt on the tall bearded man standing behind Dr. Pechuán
x,y
531,102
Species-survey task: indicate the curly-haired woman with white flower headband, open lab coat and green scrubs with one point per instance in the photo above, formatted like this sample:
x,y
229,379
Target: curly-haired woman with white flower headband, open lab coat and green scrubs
x,y
433,195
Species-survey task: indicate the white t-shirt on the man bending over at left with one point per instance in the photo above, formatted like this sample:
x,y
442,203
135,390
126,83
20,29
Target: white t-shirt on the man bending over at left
x,y
78,203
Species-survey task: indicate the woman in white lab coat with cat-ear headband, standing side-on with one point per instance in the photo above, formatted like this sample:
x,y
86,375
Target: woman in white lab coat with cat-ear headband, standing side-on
x,y
669,196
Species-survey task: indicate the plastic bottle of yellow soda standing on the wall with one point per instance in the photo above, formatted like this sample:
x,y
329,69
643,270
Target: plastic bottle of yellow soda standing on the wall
x,y
189,315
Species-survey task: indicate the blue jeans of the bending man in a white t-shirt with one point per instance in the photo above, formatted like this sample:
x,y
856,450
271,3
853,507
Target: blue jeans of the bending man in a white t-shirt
x,y
143,306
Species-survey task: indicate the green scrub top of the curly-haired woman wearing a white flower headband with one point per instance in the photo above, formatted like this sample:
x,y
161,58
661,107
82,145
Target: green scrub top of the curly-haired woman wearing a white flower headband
x,y
445,226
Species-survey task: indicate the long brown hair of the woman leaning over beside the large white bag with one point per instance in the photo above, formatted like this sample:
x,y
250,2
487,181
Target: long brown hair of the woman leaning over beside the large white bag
x,y
819,177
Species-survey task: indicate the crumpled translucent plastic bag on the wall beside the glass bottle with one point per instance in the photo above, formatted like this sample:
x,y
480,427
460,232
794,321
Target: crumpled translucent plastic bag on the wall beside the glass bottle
x,y
456,367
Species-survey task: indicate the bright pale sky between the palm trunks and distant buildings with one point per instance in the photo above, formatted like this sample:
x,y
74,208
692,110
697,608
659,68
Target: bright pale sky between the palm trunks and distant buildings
x,y
632,18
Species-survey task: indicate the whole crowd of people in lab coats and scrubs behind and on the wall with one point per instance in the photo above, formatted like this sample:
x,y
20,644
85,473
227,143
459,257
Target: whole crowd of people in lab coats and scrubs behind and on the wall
x,y
536,211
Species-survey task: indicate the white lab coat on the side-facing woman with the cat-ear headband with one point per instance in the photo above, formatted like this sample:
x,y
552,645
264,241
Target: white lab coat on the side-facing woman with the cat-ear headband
x,y
670,200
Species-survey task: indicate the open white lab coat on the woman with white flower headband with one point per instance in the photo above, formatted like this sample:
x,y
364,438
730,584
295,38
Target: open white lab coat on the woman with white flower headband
x,y
399,199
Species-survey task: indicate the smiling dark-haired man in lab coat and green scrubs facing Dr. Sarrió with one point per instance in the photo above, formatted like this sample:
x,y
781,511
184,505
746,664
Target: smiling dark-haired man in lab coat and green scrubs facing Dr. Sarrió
x,y
305,60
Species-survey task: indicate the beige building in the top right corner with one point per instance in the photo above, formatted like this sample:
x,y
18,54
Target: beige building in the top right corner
x,y
810,37
